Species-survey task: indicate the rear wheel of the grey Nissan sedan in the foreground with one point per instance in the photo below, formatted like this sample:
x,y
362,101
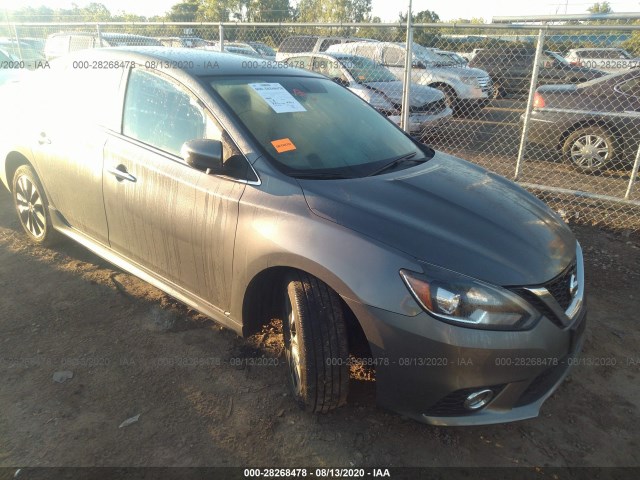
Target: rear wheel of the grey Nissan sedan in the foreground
x,y
32,206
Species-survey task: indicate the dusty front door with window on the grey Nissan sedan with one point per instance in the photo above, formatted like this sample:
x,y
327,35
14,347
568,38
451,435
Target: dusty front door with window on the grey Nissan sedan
x,y
165,216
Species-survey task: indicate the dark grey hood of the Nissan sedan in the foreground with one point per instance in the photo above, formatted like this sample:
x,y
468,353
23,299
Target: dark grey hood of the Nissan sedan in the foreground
x,y
453,214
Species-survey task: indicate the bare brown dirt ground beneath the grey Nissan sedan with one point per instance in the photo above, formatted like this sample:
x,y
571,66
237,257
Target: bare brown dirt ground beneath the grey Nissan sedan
x,y
206,397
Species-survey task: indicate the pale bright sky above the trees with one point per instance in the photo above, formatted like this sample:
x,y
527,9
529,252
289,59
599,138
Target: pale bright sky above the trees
x,y
387,10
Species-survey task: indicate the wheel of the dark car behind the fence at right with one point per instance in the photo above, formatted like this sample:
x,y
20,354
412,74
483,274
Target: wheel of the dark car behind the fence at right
x,y
590,149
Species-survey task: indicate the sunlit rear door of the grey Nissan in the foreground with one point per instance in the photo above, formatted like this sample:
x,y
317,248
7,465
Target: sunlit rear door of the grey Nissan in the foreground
x,y
78,112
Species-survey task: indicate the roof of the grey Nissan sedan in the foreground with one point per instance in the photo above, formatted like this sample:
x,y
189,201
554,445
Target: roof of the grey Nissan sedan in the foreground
x,y
195,62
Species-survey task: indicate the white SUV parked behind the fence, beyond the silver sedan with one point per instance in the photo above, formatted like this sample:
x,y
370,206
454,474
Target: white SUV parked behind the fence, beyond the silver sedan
x,y
466,89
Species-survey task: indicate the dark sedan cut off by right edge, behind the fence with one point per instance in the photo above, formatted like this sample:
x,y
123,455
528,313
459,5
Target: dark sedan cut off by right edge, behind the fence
x,y
595,124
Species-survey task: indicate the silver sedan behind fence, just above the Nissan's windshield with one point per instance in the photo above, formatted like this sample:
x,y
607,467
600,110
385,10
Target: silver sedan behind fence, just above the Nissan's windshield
x,y
380,88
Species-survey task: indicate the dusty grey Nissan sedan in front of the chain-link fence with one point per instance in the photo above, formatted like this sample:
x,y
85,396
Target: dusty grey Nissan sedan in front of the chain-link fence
x,y
270,192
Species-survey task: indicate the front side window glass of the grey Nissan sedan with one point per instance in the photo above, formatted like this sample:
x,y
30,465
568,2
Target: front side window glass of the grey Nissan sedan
x,y
160,113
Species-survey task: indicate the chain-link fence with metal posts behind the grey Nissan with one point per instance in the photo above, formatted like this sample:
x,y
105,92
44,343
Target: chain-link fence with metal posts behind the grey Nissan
x,y
554,107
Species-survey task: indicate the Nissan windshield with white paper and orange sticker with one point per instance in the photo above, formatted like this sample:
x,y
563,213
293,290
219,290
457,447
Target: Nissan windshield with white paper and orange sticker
x,y
313,125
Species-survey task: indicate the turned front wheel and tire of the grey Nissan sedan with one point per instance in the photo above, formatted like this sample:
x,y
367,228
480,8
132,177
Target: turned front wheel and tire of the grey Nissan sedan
x,y
316,346
